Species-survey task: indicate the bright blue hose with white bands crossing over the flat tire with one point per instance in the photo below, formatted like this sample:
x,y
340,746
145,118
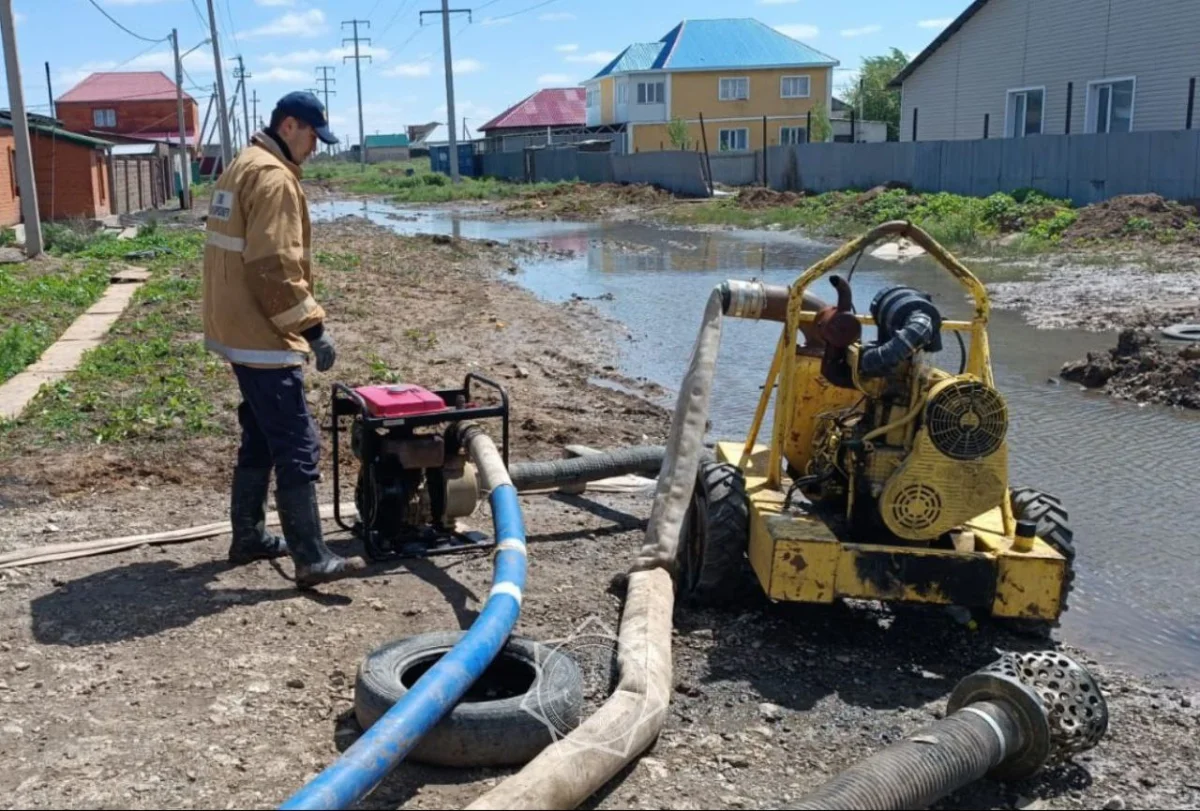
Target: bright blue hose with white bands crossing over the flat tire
x,y
364,766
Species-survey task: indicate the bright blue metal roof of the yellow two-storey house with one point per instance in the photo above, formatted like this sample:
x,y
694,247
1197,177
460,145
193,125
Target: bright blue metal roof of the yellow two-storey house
x,y
718,44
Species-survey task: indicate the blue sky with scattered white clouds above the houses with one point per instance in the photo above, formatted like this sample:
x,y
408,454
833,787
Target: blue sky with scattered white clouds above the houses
x,y
511,49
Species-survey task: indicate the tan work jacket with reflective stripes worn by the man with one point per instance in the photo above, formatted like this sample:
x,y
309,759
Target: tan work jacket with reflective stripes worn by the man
x,y
259,289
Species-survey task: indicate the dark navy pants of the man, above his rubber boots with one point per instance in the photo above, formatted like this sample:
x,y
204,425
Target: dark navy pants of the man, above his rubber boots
x,y
277,428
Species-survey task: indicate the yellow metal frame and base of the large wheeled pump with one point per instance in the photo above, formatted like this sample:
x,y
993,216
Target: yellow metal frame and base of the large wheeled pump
x,y
797,558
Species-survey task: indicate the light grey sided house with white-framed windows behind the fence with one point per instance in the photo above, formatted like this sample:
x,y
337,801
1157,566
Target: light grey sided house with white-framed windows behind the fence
x,y
1010,69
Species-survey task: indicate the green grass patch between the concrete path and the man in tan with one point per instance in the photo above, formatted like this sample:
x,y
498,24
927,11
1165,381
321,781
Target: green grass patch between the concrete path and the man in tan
x,y
152,379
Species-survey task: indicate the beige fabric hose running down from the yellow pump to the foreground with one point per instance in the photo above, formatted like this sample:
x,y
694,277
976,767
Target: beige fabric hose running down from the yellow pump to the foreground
x,y
571,771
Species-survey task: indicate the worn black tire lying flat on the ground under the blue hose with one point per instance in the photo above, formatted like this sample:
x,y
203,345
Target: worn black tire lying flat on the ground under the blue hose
x,y
477,735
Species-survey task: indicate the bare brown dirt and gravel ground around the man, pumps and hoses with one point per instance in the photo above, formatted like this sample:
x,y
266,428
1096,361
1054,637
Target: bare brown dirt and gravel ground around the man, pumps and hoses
x,y
164,678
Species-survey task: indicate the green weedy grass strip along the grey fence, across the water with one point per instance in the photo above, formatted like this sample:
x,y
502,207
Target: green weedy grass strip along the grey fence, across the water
x,y
956,221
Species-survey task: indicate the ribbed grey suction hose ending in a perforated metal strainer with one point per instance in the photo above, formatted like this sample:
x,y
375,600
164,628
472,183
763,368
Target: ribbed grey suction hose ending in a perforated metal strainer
x,y
1006,722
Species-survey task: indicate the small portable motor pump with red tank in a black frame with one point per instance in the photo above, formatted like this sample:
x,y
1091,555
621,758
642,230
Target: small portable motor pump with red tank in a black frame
x,y
415,478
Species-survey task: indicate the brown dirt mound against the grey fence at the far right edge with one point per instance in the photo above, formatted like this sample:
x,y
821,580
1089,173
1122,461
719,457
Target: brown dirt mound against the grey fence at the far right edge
x,y
1138,218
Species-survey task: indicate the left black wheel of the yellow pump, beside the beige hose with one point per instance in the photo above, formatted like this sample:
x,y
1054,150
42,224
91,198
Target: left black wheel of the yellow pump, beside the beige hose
x,y
713,566
